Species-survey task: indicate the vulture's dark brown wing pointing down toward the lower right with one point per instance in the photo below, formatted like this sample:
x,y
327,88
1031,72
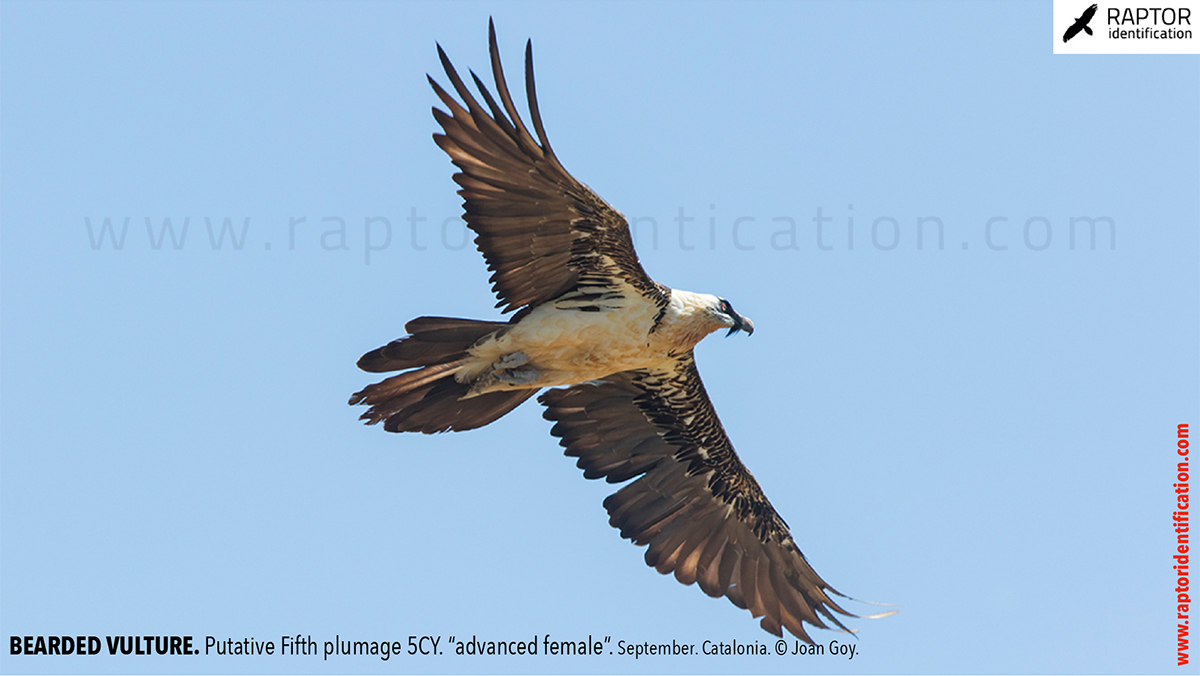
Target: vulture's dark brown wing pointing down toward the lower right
x,y
694,504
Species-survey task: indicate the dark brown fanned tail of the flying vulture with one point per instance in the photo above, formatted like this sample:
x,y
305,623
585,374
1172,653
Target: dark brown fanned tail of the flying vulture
x,y
428,398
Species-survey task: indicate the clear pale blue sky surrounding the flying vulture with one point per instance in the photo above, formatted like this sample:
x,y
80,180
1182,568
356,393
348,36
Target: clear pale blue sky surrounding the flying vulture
x,y
983,435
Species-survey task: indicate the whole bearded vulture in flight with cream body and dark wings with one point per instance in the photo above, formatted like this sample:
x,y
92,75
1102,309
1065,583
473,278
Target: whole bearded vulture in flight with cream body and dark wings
x,y
619,345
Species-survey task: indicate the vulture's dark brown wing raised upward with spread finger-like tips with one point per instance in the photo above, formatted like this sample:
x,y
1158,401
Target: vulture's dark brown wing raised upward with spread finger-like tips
x,y
543,232
